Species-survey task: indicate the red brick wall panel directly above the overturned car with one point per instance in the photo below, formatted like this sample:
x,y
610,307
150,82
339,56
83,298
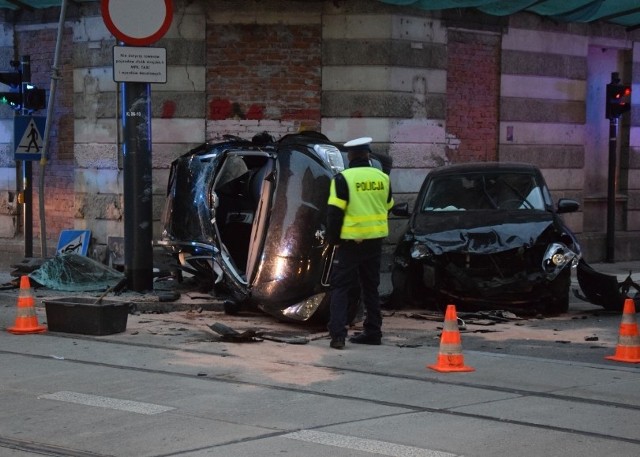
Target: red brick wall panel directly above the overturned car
x,y
264,72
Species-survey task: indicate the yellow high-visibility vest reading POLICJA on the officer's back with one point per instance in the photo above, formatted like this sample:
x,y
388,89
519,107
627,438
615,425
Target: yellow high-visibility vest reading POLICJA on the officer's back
x,y
365,214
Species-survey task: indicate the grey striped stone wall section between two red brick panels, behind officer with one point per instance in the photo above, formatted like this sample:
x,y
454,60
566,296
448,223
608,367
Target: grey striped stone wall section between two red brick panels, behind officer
x,y
384,76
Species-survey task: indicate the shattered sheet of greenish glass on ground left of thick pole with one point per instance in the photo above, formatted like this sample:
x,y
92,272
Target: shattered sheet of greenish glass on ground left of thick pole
x,y
75,273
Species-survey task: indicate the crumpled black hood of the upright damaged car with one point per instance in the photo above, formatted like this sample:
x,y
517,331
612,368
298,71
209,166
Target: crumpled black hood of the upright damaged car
x,y
480,232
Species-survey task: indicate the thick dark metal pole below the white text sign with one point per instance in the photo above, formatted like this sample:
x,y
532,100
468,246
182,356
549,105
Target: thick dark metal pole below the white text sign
x,y
138,217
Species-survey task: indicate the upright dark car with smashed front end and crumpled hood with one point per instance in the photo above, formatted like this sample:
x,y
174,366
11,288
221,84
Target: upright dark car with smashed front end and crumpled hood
x,y
485,236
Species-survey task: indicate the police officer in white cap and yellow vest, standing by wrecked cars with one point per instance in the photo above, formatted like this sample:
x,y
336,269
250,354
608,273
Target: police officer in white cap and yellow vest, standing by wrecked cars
x,y
359,200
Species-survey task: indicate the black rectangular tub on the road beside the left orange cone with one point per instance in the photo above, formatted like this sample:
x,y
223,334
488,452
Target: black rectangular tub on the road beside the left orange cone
x,y
85,316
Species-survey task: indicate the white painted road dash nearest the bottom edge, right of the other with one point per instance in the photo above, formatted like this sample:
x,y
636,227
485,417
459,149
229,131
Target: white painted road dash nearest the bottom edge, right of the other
x,y
361,444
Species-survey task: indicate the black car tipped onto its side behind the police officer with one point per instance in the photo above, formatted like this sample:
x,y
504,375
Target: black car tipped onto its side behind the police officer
x,y
248,217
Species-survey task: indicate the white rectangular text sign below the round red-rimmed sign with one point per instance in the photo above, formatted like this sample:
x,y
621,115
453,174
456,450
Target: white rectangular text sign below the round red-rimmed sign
x,y
139,64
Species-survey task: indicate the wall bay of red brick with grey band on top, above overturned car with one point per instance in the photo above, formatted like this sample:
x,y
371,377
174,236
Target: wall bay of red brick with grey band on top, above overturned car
x,y
263,68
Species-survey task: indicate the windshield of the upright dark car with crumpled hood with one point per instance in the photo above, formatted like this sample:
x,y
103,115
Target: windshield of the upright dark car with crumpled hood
x,y
484,191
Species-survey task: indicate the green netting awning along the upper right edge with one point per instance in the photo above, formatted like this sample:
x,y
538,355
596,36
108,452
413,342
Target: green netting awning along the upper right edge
x,y
620,12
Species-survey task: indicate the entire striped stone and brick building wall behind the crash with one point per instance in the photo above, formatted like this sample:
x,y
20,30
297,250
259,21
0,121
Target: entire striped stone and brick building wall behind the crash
x,y
430,88
